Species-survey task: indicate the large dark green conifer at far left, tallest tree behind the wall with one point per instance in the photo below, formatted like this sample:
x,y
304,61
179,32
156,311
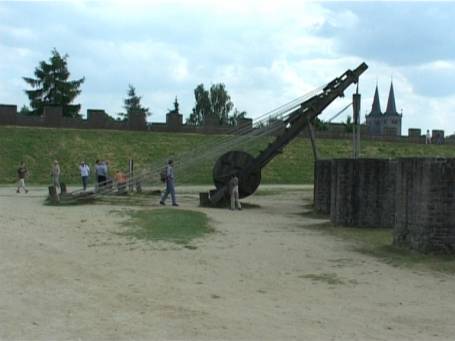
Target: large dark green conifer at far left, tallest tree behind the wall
x,y
51,86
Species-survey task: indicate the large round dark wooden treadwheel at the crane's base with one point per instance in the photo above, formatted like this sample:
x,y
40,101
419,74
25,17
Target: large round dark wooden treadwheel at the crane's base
x,y
234,162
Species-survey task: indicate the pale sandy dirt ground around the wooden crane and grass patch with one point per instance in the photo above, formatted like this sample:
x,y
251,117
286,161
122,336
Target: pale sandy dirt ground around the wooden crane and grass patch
x,y
66,274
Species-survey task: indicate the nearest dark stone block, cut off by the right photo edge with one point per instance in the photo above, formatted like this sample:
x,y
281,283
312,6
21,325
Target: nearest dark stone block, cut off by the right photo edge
x,y
425,205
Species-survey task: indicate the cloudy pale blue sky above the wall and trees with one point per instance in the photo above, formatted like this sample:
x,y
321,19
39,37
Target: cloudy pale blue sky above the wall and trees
x,y
267,53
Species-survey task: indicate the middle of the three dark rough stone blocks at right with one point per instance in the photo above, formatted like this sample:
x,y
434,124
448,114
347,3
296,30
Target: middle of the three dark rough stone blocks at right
x,y
362,192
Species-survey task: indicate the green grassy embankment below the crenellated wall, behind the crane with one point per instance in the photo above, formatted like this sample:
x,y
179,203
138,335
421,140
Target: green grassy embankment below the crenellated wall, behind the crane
x,y
38,147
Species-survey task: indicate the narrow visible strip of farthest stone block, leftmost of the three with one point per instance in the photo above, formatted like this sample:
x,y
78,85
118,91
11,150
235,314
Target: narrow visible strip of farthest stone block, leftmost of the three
x,y
322,181
